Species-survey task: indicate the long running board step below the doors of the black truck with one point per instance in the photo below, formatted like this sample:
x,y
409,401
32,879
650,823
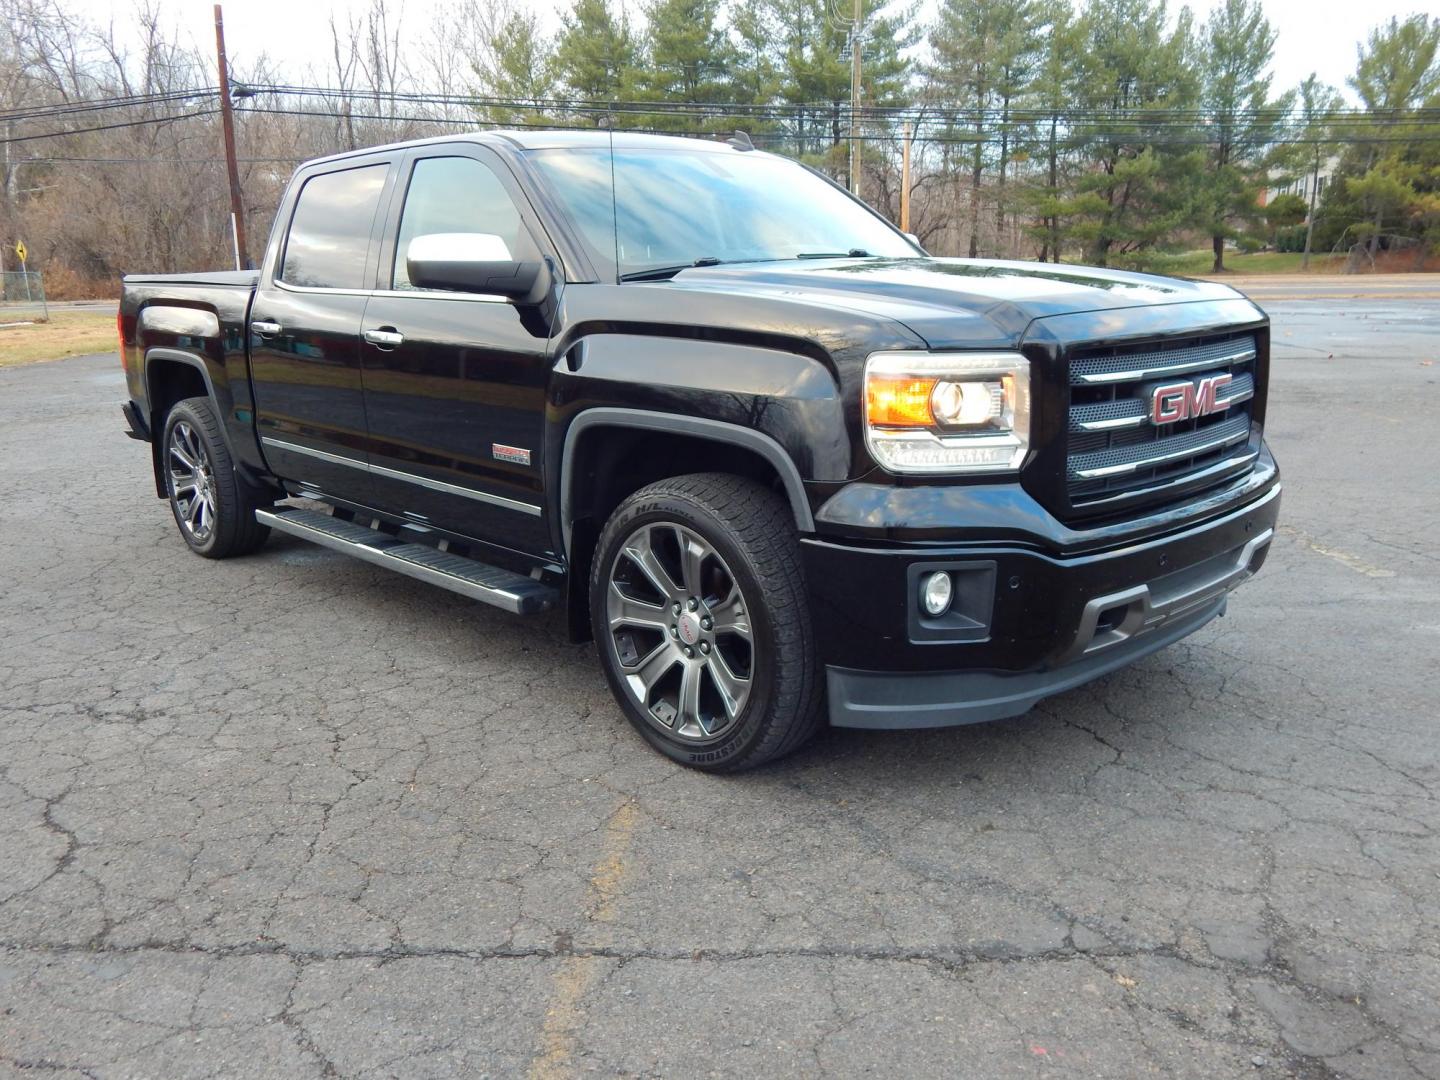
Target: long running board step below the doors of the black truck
x,y
479,581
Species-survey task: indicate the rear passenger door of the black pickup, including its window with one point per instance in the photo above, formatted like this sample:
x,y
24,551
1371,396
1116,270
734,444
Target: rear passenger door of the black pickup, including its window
x,y
306,333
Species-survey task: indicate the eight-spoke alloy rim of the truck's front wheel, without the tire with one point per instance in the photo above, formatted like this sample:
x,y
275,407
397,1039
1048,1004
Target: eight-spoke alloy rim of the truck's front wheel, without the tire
x,y
680,630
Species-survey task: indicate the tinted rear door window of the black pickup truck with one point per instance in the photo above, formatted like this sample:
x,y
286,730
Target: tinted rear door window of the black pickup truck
x,y
330,231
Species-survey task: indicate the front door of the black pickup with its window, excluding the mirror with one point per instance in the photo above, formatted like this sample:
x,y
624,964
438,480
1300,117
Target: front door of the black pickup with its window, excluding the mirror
x,y
456,384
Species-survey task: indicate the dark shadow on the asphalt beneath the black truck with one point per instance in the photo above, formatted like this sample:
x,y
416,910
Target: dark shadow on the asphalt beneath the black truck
x,y
1062,741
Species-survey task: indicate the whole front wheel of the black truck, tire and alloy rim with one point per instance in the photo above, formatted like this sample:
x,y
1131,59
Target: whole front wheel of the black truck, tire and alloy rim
x,y
726,680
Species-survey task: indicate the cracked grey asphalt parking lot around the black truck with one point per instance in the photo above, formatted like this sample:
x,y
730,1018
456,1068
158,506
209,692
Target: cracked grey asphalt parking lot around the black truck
x,y
292,816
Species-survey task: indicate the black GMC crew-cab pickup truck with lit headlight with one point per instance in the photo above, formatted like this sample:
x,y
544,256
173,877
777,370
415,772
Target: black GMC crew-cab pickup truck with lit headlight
x,y
781,464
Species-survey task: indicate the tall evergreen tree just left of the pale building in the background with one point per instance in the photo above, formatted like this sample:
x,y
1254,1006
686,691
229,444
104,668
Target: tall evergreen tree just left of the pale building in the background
x,y
1242,119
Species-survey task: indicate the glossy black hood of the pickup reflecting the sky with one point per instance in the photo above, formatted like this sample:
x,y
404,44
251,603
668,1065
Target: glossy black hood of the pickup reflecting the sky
x,y
953,303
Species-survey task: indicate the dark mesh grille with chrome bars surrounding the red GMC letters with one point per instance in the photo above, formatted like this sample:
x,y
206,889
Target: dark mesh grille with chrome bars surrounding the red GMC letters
x,y
1117,453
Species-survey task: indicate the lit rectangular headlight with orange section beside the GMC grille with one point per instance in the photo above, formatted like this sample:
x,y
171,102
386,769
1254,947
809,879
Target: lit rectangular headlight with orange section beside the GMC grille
x,y
948,413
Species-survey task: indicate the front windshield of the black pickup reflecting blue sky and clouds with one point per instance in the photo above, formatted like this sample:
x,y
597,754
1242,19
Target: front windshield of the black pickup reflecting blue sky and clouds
x,y
675,208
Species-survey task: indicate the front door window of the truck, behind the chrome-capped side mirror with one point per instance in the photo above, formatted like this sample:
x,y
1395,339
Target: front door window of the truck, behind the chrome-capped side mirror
x,y
454,195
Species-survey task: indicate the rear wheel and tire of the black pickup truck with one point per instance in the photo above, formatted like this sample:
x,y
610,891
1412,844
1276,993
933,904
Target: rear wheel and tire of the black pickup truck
x,y
214,508
